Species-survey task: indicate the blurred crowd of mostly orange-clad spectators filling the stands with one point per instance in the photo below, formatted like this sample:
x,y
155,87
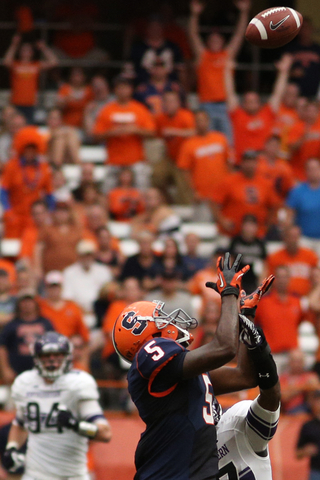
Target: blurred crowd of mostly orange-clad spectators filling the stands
x,y
251,167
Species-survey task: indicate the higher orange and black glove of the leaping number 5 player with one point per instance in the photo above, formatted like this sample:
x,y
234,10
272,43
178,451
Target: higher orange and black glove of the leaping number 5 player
x,y
229,278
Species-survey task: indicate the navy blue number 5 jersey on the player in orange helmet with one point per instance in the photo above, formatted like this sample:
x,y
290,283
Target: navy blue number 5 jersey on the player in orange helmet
x,y
180,438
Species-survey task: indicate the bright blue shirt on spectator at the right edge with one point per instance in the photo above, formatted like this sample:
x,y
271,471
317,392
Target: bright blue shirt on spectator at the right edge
x,y
306,203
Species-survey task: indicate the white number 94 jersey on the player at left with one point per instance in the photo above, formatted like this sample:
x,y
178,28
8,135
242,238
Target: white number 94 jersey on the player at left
x,y
54,452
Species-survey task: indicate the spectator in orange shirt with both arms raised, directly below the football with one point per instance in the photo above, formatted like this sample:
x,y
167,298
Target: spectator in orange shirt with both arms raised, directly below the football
x,y
253,122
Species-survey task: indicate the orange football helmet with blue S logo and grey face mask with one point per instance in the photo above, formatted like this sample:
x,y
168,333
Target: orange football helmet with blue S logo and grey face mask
x,y
141,321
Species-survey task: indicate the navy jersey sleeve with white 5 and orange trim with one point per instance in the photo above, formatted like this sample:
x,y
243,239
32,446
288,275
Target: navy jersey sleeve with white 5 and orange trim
x,y
156,357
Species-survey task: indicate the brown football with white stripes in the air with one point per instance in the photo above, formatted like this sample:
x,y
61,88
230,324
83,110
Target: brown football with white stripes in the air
x,y
274,27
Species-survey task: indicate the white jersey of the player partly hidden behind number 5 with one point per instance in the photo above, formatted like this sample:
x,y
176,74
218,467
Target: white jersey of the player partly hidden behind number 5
x,y
243,430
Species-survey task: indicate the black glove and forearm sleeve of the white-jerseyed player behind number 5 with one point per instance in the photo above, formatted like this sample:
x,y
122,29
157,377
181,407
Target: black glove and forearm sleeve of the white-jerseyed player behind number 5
x,y
260,353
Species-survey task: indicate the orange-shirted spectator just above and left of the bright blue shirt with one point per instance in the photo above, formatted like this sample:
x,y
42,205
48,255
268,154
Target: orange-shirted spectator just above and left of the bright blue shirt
x,y
274,168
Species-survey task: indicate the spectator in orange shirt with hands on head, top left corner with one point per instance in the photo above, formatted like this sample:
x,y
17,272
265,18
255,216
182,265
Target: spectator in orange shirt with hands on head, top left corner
x,y
25,73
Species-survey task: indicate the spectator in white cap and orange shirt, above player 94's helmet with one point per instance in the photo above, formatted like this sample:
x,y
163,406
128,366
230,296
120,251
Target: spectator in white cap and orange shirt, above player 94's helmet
x,y
65,315
